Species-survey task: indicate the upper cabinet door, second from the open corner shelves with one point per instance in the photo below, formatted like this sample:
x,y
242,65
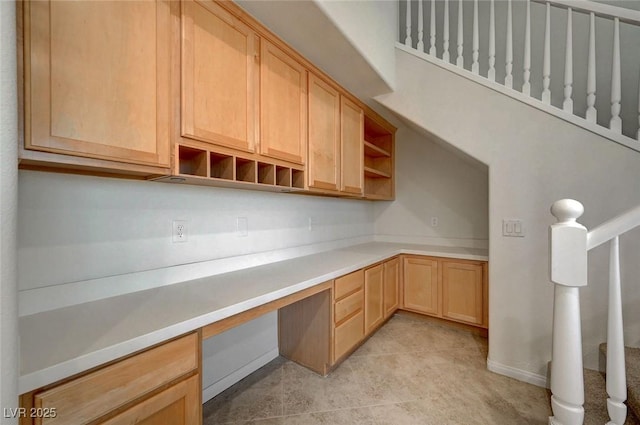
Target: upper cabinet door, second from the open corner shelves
x,y
324,135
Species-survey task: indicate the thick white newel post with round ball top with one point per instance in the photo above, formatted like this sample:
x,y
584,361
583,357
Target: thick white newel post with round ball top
x,y
568,240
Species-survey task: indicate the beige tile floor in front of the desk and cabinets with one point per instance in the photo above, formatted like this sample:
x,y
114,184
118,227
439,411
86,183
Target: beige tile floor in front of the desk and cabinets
x,y
411,371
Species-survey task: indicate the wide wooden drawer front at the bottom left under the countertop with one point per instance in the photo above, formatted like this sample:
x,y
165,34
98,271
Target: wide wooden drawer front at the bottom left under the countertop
x,y
91,396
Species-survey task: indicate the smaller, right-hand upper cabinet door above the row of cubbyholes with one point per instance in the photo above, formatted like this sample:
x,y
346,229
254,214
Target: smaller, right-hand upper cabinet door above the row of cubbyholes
x,y
283,105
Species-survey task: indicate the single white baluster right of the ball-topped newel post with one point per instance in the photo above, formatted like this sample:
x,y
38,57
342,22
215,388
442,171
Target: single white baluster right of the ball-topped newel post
x,y
616,380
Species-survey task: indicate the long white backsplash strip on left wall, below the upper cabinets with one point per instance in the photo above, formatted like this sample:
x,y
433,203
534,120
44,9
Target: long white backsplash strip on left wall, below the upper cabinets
x,y
38,300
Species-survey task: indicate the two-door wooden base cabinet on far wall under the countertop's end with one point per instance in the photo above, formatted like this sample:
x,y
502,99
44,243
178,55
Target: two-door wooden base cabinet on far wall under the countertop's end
x,y
446,288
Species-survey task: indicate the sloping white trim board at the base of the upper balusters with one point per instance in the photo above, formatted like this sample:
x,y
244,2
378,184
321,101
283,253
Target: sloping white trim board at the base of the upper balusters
x,y
531,101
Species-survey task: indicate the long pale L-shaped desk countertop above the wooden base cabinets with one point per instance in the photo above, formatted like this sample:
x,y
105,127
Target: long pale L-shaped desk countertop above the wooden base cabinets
x,y
63,342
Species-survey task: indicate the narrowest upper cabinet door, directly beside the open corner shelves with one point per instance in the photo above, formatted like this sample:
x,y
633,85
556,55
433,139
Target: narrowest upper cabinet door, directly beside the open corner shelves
x,y
352,137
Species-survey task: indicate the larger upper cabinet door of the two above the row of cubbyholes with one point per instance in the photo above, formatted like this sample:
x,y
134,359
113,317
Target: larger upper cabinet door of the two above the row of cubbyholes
x,y
219,76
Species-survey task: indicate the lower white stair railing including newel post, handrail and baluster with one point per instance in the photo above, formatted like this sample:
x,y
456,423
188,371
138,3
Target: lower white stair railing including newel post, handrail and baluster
x,y
570,243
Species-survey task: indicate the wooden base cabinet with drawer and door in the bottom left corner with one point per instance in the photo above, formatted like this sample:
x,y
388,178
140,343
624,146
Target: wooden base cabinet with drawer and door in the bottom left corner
x,y
158,386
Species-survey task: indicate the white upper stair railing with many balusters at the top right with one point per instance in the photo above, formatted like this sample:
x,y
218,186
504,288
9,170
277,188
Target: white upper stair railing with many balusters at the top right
x,y
582,113
